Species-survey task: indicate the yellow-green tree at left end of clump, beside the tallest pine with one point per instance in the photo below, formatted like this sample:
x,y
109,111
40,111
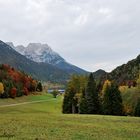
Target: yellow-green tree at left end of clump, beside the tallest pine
x,y
72,95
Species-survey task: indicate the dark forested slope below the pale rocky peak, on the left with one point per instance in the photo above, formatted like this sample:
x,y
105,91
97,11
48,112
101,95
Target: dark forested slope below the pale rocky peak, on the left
x,y
41,71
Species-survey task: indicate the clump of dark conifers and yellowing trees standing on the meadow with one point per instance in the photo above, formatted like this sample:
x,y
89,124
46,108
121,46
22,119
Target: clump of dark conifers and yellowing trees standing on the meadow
x,y
84,95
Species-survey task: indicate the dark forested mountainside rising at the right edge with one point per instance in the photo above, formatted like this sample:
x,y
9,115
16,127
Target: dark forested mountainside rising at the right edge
x,y
126,72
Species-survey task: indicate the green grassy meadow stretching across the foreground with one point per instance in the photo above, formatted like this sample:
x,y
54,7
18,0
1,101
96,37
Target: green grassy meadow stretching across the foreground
x,y
44,121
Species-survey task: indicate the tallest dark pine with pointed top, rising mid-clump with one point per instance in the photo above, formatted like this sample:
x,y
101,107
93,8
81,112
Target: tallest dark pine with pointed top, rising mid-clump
x,y
91,96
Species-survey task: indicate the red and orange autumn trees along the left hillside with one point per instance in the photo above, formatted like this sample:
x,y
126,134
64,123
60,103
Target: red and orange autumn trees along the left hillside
x,y
14,83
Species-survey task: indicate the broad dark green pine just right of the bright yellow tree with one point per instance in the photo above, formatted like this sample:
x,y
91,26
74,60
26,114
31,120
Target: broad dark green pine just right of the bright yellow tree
x,y
112,100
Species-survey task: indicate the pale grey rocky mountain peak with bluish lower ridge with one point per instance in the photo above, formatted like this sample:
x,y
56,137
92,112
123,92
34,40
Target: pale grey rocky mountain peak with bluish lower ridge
x,y
38,52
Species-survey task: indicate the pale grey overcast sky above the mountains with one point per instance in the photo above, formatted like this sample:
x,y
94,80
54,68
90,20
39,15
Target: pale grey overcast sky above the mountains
x,y
92,34
